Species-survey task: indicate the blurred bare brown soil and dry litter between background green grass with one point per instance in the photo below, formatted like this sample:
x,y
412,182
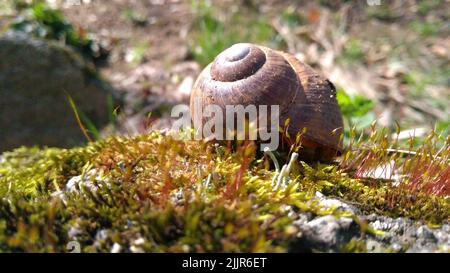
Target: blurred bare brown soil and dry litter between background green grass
x,y
158,33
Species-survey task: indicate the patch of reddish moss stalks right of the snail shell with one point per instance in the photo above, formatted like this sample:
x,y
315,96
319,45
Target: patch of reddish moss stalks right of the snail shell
x,y
421,170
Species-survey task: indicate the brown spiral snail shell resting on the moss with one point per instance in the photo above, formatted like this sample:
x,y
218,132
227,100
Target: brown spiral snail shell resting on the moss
x,y
249,74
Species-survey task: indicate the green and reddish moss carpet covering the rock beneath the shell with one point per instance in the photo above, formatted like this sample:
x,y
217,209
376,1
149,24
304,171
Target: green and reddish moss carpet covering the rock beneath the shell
x,y
192,196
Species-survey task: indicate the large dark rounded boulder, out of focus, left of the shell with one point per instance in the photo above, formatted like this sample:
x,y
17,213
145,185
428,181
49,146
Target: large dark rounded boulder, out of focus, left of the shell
x,y
35,78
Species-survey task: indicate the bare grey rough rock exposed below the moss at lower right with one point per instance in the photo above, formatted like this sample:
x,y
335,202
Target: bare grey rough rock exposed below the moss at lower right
x,y
332,234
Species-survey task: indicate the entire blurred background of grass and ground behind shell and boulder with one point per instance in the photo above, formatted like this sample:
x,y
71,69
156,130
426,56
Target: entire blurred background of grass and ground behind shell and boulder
x,y
389,59
